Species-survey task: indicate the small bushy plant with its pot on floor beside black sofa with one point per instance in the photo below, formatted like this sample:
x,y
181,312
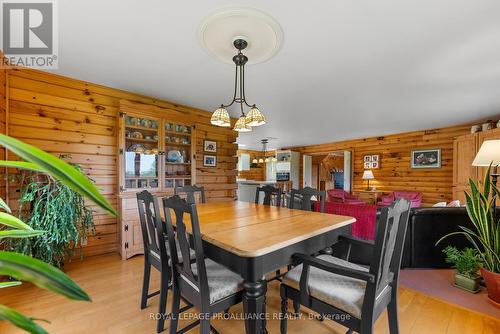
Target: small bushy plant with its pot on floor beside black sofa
x,y
467,263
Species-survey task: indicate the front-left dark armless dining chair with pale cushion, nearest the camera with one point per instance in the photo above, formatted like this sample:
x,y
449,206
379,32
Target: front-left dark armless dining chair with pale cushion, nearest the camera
x,y
206,284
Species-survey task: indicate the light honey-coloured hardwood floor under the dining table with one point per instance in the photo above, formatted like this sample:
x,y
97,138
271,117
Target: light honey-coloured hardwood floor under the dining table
x,y
114,286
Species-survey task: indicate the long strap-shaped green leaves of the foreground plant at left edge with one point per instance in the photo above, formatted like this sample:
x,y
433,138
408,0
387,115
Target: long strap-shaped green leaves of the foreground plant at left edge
x,y
26,268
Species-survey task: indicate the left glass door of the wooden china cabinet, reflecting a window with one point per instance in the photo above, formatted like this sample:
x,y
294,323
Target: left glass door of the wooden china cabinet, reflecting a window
x,y
141,153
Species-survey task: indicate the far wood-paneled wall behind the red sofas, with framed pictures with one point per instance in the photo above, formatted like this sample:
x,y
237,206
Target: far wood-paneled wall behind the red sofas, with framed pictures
x,y
395,172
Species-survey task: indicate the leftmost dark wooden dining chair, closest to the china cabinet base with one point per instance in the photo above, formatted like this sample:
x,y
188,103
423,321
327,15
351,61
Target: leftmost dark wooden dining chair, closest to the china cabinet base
x,y
155,252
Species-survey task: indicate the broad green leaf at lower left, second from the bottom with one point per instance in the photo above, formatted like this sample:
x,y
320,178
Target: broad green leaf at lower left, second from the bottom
x,y
41,274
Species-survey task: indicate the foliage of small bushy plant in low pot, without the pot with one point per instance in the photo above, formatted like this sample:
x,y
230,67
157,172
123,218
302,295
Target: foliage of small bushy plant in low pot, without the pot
x,y
467,261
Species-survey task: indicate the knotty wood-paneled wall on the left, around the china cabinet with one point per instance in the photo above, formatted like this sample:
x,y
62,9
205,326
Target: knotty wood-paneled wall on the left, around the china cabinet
x,y
67,116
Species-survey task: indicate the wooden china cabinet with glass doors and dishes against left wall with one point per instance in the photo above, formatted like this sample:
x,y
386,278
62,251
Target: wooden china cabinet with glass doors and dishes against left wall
x,y
155,153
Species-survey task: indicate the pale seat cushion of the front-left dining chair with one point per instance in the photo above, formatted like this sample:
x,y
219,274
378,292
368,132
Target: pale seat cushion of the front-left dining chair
x,y
222,282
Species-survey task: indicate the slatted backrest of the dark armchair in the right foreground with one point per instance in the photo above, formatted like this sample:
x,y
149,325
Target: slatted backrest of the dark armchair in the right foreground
x,y
389,241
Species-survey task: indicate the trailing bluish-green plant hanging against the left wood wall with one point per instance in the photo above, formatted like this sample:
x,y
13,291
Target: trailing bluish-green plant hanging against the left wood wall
x,y
48,204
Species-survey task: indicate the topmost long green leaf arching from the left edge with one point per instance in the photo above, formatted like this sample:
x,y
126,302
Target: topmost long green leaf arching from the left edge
x,y
59,169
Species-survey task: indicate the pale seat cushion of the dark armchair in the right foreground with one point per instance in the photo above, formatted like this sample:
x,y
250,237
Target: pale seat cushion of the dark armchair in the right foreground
x,y
342,292
